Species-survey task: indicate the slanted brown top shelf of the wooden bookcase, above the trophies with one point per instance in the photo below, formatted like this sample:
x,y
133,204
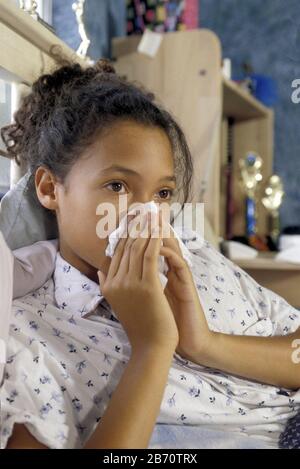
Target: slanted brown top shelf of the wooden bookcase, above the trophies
x,y
239,104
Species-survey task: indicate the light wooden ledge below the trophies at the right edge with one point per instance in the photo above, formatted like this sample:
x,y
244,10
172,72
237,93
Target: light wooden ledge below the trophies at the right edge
x,y
266,261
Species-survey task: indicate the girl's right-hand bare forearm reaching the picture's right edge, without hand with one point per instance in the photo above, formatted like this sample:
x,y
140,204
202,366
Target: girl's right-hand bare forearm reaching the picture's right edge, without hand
x,y
272,360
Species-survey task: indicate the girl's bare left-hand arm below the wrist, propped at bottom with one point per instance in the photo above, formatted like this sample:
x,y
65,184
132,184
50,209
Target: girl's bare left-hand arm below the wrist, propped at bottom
x,y
130,417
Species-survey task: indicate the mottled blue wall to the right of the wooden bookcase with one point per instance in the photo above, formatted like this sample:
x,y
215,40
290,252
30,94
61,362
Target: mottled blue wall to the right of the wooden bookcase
x,y
267,34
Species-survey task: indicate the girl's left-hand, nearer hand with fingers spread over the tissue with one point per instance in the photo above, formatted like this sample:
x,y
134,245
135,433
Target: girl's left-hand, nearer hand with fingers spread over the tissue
x,y
133,289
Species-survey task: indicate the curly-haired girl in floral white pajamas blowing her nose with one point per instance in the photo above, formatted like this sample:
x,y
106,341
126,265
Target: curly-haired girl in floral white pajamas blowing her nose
x,y
101,352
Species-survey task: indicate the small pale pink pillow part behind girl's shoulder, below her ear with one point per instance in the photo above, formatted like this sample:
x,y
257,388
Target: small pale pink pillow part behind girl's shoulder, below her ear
x,y
33,266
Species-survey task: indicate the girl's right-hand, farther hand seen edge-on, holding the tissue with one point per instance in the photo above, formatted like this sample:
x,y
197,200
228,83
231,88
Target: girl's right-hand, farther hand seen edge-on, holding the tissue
x,y
194,334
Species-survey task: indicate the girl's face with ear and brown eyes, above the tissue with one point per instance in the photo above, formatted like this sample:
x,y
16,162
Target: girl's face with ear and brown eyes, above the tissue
x,y
129,159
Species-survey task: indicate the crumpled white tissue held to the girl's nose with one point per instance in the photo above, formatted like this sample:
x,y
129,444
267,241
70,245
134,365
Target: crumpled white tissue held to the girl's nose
x,y
162,264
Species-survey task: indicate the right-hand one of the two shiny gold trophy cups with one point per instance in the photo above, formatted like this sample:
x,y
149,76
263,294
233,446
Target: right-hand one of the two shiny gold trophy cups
x,y
272,201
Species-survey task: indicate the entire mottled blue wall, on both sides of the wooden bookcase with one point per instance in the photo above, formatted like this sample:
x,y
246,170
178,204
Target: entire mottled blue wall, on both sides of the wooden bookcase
x,y
263,32
